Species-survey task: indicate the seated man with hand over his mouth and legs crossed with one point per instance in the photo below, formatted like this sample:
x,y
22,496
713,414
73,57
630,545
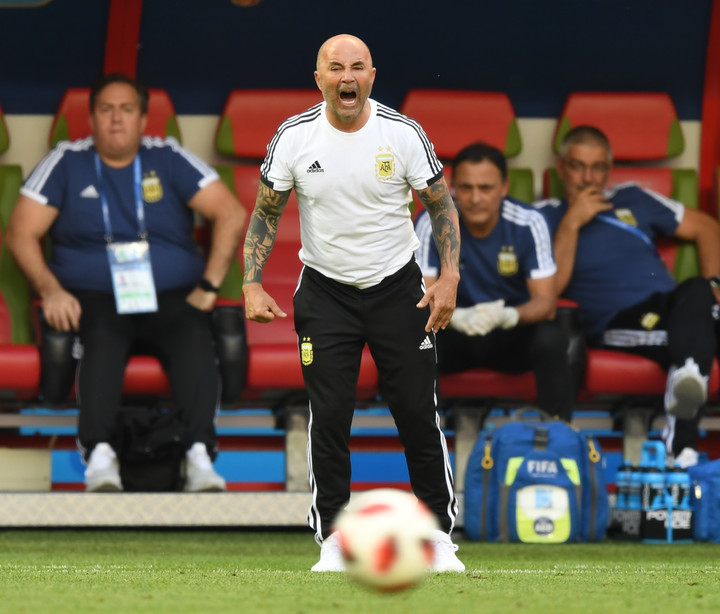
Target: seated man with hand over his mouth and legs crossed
x,y
629,301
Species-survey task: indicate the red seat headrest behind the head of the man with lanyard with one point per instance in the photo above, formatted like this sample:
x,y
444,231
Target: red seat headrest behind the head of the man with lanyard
x,y
71,120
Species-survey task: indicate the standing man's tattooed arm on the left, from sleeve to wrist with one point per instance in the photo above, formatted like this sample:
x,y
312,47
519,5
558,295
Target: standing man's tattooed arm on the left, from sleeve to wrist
x,y
262,230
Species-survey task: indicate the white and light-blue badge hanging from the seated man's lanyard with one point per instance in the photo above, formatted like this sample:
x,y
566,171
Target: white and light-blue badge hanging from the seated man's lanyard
x,y
132,277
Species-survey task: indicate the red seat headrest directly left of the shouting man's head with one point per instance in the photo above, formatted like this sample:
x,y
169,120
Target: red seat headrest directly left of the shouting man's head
x,y
251,117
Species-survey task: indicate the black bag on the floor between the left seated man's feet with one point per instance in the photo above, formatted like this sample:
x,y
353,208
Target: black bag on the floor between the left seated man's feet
x,y
152,446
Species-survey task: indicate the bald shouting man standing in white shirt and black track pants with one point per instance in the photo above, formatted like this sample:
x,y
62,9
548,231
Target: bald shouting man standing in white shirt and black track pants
x,y
352,162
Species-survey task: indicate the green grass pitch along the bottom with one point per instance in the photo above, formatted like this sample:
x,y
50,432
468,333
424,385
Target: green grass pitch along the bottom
x,y
159,572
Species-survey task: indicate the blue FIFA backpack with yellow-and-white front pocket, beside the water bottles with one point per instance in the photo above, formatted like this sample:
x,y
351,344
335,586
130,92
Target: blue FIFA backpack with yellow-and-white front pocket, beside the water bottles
x,y
537,482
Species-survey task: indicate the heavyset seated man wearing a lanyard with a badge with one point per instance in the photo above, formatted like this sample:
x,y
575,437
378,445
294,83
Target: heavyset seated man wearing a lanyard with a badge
x,y
125,270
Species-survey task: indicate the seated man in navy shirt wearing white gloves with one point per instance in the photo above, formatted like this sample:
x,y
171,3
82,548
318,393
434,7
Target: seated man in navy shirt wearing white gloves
x,y
506,295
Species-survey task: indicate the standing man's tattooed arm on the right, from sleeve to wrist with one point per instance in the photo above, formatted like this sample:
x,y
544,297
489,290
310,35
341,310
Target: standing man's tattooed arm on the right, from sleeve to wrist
x,y
443,215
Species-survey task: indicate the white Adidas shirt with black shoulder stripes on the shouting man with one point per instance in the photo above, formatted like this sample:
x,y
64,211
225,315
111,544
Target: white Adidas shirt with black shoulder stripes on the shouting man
x,y
353,190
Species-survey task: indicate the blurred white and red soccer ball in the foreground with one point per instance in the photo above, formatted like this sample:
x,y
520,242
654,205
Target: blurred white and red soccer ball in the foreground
x,y
386,539
